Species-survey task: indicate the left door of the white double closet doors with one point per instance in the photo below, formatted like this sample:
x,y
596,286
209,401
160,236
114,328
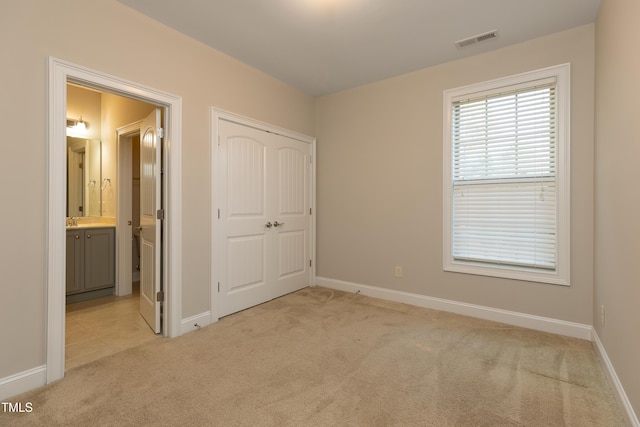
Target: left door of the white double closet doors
x,y
243,264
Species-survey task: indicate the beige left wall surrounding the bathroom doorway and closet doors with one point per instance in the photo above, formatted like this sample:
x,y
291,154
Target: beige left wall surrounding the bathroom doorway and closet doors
x,y
106,36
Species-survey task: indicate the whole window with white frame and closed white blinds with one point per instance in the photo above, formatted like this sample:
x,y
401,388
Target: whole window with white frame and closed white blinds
x,y
506,177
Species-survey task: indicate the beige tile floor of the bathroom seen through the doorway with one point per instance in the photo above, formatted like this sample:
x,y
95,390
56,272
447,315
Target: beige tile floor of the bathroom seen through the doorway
x,y
104,326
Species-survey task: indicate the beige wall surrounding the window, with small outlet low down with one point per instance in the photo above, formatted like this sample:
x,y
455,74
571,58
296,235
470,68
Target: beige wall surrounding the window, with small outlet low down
x,y
380,181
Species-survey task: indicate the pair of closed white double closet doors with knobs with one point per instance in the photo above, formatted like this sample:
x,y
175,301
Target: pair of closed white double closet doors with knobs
x,y
265,221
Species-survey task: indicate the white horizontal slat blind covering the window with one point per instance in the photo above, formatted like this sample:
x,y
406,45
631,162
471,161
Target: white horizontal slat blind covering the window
x,y
504,169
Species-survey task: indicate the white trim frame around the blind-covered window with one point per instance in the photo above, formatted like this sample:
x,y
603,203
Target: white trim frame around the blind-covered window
x,y
561,274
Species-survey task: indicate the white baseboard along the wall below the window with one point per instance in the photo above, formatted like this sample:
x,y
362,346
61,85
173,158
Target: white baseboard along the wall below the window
x,y
539,323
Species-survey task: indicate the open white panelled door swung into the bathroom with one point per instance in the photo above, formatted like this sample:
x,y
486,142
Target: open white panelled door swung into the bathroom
x,y
150,203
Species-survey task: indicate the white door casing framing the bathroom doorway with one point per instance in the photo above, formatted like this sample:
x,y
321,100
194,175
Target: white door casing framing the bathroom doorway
x,y
60,73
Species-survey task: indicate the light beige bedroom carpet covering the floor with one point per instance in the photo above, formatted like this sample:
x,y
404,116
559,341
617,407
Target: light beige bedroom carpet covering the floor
x,y
320,357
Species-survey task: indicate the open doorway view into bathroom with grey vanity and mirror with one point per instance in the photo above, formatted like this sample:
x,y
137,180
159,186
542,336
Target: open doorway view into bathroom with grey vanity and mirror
x,y
107,317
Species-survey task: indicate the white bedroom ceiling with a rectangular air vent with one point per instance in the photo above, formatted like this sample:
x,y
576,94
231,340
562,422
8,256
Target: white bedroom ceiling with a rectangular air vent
x,y
325,46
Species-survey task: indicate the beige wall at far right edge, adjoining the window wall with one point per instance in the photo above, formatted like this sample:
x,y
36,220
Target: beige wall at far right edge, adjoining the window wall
x,y
617,174
